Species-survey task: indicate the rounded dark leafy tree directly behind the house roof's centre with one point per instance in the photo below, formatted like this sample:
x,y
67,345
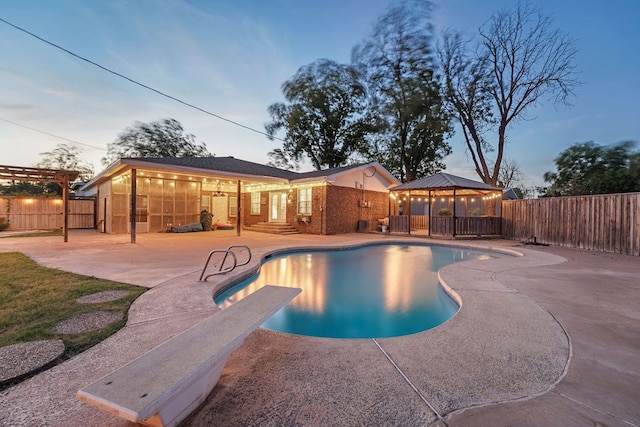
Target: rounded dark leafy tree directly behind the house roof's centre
x,y
324,117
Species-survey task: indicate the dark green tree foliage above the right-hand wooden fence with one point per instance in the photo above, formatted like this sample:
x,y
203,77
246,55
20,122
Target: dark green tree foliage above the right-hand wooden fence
x,y
588,168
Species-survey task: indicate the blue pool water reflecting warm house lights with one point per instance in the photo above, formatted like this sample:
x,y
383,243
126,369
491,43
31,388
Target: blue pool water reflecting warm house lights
x,y
370,292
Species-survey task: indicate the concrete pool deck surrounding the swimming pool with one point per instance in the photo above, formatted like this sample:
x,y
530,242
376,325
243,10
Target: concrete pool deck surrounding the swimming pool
x,y
549,338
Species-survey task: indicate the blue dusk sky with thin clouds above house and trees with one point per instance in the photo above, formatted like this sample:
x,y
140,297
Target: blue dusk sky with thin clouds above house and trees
x,y
230,58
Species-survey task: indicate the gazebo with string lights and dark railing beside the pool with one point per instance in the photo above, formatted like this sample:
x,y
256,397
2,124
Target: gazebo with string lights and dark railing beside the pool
x,y
445,204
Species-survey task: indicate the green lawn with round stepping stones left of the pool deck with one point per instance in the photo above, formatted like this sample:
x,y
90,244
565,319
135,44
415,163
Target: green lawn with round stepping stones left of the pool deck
x,y
34,298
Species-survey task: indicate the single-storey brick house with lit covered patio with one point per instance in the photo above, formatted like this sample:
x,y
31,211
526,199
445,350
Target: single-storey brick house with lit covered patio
x,y
166,192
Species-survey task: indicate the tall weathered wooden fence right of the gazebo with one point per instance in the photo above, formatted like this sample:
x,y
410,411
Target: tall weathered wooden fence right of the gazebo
x,y
606,223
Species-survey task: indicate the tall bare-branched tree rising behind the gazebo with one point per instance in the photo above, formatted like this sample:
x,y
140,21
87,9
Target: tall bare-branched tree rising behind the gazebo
x,y
518,60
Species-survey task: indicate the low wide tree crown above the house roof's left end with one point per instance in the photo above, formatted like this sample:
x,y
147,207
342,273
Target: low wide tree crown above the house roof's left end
x,y
164,138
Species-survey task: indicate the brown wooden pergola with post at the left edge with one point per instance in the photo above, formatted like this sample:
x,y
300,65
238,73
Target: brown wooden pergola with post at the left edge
x,y
58,176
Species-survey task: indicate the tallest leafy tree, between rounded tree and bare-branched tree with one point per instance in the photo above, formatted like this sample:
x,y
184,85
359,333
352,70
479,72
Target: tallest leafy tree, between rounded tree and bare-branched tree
x,y
405,94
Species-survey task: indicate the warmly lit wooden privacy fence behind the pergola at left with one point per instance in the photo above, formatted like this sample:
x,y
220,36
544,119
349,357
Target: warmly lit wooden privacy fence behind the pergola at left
x,y
46,213
